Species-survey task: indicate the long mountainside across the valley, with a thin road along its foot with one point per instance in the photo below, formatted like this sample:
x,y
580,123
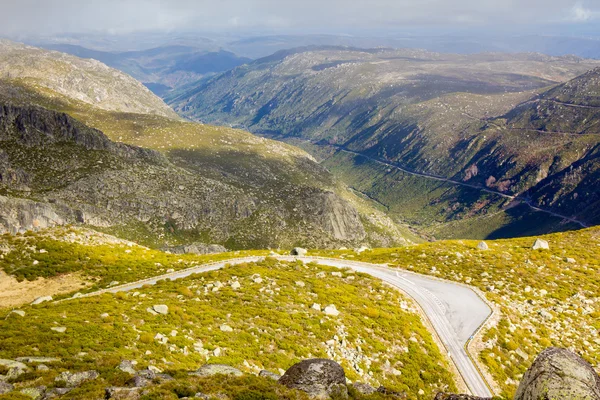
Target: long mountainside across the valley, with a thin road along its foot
x,y
422,133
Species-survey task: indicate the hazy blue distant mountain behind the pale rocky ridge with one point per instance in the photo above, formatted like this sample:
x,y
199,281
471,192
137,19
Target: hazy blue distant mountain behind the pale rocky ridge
x,y
162,68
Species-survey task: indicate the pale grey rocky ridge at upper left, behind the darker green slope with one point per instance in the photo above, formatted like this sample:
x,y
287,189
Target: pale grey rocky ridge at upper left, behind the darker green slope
x,y
88,81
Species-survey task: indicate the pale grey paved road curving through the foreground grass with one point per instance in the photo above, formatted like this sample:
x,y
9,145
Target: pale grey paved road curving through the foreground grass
x,y
455,311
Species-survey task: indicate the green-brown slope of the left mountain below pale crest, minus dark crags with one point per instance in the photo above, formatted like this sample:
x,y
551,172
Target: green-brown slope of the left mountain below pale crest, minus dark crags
x,y
221,186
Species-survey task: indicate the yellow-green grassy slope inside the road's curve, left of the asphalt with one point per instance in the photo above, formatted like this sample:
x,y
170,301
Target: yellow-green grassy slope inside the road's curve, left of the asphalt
x,y
281,330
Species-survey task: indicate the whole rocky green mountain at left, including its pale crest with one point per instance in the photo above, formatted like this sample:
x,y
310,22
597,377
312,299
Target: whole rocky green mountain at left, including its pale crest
x,y
201,184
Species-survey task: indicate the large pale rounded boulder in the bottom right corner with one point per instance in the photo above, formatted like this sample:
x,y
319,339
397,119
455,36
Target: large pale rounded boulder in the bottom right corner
x,y
559,374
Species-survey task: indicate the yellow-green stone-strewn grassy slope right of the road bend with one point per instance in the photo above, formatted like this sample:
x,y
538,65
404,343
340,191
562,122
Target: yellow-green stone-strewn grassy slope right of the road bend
x,y
544,300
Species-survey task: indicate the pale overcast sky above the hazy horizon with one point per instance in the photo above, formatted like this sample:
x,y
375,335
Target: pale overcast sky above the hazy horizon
x,y
42,17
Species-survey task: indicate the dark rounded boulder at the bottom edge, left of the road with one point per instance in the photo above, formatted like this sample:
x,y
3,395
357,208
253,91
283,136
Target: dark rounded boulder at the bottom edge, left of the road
x,y
319,378
